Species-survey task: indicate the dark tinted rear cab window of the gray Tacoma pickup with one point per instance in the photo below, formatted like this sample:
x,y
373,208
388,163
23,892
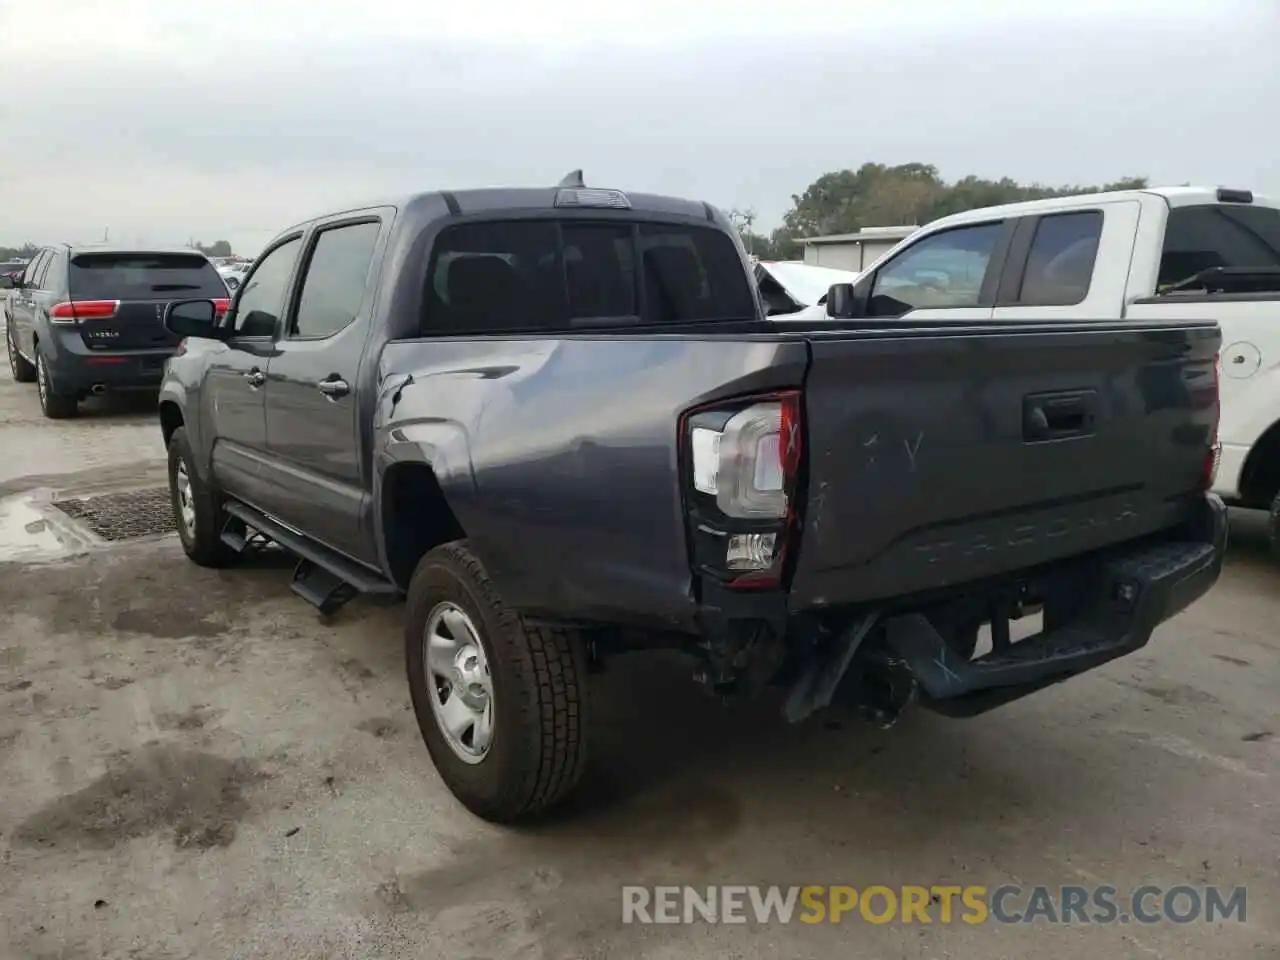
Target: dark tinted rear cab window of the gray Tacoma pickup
x,y
543,276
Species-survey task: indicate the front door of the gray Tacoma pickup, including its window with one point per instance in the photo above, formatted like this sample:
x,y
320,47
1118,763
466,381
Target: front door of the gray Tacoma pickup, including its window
x,y
236,383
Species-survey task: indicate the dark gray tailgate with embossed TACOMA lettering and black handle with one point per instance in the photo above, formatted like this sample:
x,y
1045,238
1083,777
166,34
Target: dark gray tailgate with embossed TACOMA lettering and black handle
x,y
944,456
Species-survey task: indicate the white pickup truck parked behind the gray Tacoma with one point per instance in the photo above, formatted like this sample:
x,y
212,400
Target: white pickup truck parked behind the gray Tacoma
x,y
1176,253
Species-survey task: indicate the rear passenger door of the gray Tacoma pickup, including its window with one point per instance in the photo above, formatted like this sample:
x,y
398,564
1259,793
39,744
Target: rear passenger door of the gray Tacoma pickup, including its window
x,y
313,417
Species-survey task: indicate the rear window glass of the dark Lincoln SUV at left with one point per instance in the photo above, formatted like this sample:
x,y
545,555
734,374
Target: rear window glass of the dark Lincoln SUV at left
x,y
144,277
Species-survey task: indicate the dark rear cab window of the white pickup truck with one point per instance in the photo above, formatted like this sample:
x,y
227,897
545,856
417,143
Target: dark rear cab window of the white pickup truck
x,y
1219,235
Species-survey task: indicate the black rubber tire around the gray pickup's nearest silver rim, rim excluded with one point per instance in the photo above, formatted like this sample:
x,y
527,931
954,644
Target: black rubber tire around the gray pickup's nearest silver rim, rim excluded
x,y
538,674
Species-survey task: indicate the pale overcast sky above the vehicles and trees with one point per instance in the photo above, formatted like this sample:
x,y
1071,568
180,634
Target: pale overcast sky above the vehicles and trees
x,y
162,120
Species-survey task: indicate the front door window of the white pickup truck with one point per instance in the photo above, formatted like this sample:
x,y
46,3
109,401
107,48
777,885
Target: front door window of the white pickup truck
x,y
944,271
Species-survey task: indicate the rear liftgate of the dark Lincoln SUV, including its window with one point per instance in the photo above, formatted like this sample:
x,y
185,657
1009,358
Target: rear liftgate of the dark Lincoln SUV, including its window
x,y
141,286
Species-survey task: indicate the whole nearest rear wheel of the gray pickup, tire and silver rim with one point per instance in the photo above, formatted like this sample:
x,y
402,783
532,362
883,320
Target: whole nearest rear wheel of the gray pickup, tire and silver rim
x,y
500,702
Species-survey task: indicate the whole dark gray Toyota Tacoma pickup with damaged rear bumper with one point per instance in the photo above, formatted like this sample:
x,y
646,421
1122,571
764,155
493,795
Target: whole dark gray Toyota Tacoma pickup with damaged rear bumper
x,y
559,423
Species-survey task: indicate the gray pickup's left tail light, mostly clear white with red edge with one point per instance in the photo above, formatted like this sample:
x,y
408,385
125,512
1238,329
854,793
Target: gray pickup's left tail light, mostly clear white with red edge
x,y
743,461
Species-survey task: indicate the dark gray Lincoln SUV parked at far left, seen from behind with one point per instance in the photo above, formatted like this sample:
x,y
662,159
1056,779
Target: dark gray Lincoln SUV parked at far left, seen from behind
x,y
92,319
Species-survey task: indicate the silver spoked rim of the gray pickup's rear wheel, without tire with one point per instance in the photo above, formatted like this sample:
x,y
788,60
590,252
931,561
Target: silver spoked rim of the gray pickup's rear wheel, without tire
x,y
459,682
